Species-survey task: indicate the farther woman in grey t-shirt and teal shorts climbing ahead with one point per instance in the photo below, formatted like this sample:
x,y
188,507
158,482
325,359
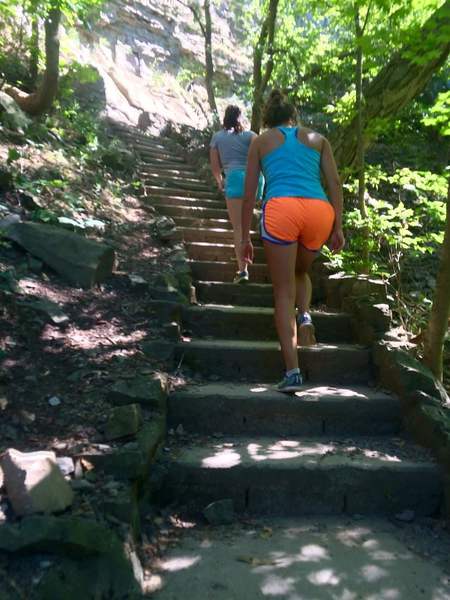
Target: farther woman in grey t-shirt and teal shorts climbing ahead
x,y
228,153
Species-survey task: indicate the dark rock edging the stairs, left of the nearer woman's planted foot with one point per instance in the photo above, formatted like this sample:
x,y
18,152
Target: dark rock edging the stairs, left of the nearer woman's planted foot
x,y
150,391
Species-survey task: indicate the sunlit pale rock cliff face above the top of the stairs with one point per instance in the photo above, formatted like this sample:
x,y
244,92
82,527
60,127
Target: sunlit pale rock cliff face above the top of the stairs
x,y
150,54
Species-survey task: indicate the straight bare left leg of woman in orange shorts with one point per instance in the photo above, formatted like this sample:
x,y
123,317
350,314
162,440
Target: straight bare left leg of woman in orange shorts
x,y
281,262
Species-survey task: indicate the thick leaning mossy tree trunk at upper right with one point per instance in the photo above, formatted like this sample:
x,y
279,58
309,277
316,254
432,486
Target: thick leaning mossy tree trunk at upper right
x,y
401,80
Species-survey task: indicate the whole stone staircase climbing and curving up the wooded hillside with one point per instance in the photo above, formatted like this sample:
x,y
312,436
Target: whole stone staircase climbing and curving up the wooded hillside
x,y
334,448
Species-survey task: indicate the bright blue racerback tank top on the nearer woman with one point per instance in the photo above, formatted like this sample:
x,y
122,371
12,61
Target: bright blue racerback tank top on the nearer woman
x,y
292,169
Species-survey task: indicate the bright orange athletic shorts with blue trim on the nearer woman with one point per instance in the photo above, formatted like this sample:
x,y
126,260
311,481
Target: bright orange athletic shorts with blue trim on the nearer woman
x,y
307,221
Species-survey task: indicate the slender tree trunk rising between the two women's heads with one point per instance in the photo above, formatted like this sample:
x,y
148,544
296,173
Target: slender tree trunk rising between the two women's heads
x,y
260,80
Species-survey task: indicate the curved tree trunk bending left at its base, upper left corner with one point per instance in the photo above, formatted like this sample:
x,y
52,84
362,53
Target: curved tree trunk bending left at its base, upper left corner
x,y
40,101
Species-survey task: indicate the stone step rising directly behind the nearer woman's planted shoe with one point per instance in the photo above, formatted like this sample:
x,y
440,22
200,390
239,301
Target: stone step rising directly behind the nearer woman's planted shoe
x,y
261,361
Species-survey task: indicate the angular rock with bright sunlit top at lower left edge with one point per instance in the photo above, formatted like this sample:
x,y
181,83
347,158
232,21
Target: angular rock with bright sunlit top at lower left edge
x,y
34,483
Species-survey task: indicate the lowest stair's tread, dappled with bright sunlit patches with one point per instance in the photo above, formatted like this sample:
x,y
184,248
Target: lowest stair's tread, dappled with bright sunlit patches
x,y
242,452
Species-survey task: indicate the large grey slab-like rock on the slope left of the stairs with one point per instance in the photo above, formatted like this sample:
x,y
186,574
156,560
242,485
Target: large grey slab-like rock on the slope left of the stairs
x,y
79,260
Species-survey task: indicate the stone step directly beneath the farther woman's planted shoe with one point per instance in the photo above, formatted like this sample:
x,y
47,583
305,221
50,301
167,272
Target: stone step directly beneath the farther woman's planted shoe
x,y
250,294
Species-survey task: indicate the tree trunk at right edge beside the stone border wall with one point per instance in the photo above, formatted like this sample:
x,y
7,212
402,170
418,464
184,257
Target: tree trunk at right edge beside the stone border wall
x,y
438,324
